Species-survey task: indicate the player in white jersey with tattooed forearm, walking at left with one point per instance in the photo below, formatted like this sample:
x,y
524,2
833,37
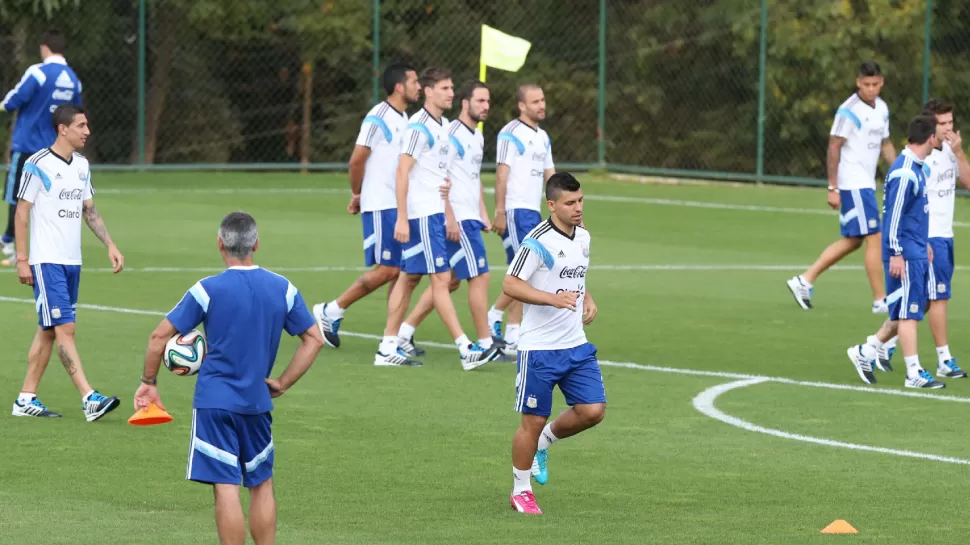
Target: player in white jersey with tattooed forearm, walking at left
x,y
55,195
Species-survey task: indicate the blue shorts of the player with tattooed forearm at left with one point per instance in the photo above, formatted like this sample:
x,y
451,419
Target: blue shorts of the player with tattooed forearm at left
x,y
55,293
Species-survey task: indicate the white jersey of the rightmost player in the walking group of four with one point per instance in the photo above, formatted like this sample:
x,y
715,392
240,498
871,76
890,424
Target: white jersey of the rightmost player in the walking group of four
x,y
528,153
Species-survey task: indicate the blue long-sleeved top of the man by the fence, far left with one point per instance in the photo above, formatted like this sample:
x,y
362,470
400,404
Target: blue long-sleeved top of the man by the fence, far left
x,y
41,90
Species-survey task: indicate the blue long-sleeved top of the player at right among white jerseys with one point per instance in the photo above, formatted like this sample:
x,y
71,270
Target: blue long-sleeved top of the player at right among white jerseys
x,y
905,209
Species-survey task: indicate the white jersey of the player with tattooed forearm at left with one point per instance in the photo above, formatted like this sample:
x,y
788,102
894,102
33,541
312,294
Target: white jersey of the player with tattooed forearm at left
x,y
57,188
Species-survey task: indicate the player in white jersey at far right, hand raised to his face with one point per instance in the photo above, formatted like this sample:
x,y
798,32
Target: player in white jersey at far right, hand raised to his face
x,y
947,163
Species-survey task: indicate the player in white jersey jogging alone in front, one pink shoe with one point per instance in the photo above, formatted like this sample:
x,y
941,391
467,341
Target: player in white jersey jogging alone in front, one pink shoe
x,y
548,275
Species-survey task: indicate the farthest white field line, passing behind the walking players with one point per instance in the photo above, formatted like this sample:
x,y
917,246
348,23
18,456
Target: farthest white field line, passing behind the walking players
x,y
592,197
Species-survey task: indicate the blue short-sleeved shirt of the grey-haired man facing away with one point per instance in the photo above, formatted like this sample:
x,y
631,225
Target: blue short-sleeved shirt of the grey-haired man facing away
x,y
245,311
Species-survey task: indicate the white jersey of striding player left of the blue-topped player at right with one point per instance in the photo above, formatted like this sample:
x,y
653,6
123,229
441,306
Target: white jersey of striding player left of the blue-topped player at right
x,y
864,127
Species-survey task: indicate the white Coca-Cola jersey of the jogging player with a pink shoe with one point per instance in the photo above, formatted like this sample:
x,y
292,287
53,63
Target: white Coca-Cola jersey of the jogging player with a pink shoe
x,y
552,262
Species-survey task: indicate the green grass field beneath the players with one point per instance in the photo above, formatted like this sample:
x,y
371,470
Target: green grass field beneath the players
x,y
690,284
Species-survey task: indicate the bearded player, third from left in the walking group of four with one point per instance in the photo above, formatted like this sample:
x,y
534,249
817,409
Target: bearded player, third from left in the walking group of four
x,y
466,247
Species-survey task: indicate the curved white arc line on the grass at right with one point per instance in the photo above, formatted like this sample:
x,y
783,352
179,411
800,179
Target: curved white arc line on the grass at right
x,y
704,402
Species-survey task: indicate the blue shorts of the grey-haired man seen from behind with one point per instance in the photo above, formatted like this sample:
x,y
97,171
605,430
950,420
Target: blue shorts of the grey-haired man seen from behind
x,y
230,448
